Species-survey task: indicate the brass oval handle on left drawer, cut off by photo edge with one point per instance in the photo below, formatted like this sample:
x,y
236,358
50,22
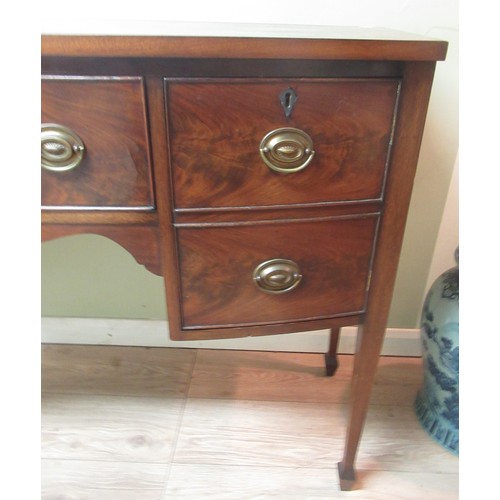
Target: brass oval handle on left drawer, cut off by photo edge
x,y
62,149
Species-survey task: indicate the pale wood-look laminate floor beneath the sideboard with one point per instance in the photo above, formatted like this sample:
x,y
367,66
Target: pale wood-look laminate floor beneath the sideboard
x,y
157,423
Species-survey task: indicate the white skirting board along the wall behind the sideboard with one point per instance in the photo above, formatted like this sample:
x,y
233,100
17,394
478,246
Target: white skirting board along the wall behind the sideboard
x,y
152,333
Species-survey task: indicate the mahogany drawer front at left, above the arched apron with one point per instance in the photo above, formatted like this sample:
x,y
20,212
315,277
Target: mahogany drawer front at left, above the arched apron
x,y
109,116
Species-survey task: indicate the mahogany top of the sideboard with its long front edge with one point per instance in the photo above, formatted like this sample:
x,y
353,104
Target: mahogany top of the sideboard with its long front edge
x,y
267,47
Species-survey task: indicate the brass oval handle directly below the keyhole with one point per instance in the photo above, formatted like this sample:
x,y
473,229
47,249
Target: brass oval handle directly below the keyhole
x,y
286,150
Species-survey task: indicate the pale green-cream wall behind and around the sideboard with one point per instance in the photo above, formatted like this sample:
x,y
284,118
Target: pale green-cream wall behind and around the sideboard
x,y
89,276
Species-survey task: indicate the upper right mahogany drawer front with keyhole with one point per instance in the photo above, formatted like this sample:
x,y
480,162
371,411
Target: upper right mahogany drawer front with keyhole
x,y
216,129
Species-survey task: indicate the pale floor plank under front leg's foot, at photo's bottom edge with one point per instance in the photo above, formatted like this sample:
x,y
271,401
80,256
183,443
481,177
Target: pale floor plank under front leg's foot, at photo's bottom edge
x,y
210,482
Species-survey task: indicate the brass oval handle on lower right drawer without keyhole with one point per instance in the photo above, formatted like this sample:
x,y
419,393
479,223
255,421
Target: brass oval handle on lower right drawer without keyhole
x,y
277,276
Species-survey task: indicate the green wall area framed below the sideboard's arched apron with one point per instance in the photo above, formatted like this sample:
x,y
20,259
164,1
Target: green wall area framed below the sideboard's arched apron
x,y
92,276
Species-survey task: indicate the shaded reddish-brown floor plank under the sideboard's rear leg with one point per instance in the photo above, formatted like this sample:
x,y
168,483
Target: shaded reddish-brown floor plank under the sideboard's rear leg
x,y
271,376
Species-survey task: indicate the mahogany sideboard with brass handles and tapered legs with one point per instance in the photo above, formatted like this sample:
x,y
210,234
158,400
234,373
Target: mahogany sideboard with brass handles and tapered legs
x,y
267,178
